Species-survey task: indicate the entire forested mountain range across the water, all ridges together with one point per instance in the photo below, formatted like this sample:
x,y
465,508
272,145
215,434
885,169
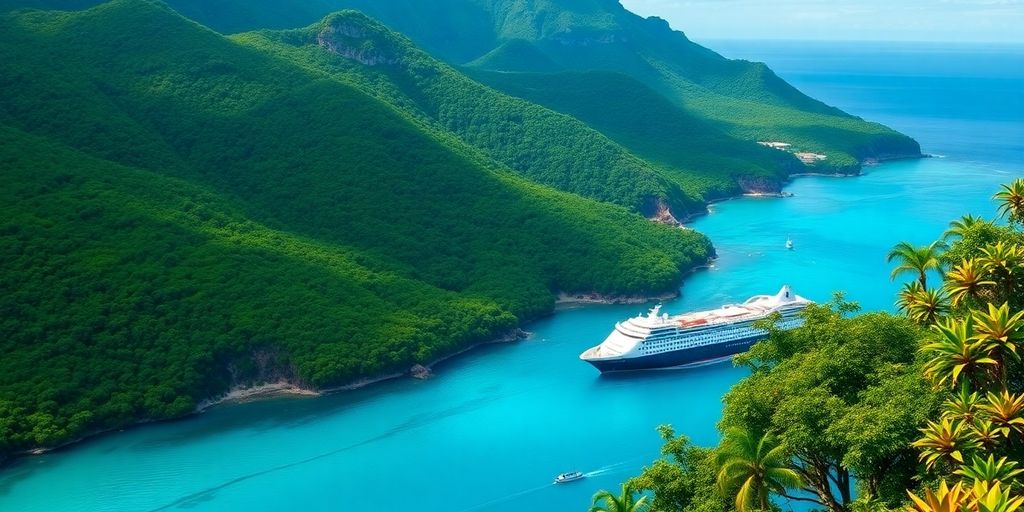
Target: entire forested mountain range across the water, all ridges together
x,y
186,211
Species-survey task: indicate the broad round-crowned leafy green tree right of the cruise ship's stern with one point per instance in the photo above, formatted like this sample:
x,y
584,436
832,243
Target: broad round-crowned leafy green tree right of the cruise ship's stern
x,y
836,393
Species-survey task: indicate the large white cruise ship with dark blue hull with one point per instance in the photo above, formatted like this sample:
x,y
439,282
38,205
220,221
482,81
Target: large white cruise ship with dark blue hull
x,y
659,340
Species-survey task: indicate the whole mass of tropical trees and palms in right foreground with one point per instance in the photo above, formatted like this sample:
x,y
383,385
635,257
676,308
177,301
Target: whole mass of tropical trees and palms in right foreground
x,y
923,411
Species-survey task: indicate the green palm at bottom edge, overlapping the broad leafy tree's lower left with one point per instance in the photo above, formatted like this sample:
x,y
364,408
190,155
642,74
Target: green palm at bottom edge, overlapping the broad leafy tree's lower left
x,y
753,467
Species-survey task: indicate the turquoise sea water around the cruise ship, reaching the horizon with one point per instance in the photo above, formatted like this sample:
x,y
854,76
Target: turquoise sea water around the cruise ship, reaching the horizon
x,y
495,426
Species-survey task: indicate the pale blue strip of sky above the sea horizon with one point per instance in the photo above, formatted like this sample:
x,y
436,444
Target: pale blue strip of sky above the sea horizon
x,y
948,21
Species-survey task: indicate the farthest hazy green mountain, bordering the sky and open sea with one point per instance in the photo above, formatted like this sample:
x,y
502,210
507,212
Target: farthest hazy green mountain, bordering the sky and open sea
x,y
744,100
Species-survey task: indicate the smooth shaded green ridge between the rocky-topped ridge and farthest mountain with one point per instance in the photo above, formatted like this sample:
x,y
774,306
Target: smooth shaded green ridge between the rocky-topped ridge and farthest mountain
x,y
707,161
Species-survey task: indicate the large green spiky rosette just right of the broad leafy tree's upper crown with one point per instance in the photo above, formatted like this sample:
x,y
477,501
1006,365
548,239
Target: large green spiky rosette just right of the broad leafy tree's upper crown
x,y
956,353
